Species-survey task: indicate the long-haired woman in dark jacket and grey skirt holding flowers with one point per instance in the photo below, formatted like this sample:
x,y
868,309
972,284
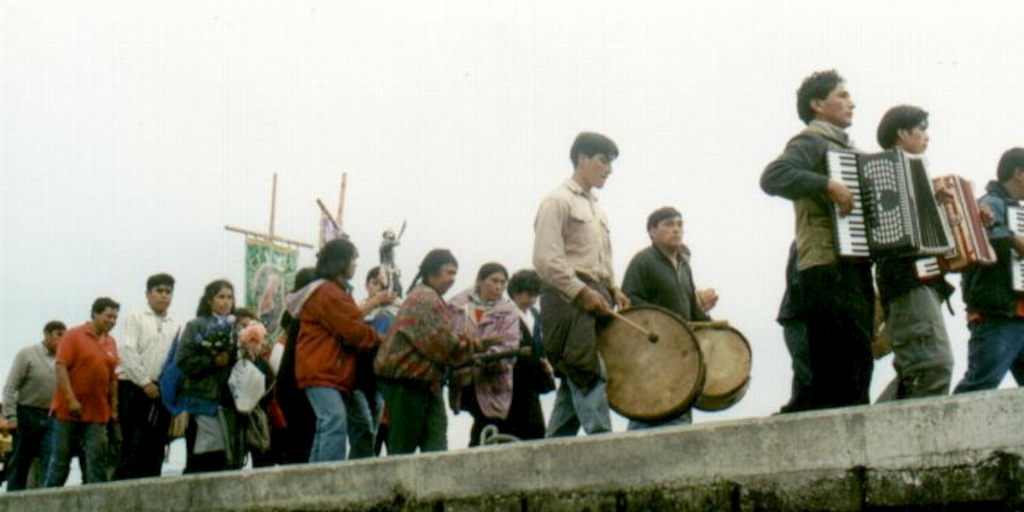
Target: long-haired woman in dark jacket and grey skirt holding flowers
x,y
208,349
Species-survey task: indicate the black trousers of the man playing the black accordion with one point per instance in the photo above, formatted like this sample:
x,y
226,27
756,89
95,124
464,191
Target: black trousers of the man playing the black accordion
x,y
840,303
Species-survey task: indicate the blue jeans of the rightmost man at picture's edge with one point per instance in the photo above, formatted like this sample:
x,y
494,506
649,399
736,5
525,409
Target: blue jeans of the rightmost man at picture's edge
x,y
997,345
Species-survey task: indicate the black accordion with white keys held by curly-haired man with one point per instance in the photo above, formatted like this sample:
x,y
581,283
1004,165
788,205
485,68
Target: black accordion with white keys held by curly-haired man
x,y
895,212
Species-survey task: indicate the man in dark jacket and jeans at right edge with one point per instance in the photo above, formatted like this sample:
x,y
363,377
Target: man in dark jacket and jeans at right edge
x,y
996,311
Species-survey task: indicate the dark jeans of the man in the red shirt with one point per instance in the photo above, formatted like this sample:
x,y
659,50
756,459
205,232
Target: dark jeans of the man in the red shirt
x,y
66,435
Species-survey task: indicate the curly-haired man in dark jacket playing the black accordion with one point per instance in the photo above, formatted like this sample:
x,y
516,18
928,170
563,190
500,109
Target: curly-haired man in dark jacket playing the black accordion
x,y
838,292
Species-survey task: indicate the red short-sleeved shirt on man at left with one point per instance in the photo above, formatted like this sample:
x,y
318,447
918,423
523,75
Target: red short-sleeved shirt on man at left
x,y
91,363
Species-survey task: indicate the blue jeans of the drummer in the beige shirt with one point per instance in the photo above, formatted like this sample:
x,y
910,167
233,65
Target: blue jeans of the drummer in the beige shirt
x,y
575,409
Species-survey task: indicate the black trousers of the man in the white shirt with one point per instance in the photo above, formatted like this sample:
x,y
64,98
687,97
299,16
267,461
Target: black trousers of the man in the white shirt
x,y
144,431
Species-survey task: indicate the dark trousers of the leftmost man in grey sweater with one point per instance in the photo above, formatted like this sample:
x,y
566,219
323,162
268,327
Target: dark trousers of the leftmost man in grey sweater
x,y
32,441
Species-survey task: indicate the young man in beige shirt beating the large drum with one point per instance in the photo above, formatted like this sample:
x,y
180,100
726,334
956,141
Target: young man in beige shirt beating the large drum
x,y
573,255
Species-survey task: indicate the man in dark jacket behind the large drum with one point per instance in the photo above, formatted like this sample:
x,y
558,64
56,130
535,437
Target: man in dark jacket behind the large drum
x,y
661,276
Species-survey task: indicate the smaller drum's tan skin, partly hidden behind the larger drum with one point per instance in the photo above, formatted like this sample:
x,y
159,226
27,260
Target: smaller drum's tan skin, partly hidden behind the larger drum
x,y
728,358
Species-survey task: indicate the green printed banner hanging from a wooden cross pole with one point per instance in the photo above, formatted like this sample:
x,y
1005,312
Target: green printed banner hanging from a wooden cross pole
x,y
270,275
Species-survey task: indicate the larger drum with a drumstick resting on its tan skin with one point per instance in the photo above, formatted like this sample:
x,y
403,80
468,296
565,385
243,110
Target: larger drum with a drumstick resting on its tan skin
x,y
651,381
